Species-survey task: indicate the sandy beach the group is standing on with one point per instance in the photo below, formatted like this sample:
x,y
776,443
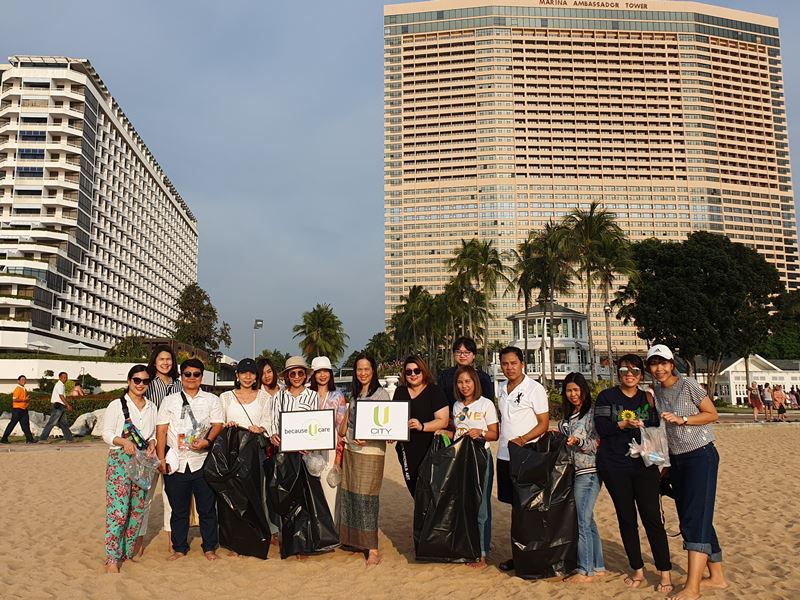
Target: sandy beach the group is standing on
x,y
52,522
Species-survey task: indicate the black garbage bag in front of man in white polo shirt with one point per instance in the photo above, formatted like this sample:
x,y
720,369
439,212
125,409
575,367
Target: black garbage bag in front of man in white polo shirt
x,y
544,524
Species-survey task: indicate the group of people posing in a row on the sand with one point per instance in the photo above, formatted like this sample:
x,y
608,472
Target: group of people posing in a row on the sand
x,y
164,407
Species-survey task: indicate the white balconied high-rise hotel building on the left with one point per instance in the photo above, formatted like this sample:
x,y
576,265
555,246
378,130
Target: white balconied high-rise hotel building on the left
x,y
95,242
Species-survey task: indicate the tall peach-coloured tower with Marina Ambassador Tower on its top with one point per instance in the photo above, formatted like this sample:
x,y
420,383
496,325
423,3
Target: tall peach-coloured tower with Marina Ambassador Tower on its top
x,y
501,115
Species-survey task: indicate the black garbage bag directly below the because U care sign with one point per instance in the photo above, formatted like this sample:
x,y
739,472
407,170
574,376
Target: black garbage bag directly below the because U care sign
x,y
306,523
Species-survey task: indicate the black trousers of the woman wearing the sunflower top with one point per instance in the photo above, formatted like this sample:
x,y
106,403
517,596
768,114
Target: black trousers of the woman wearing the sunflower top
x,y
632,489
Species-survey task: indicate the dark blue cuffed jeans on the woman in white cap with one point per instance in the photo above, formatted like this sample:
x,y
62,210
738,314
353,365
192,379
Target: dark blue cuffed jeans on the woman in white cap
x,y
694,481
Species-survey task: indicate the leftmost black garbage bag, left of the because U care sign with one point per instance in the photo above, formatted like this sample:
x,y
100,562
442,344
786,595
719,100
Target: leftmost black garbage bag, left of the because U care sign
x,y
234,471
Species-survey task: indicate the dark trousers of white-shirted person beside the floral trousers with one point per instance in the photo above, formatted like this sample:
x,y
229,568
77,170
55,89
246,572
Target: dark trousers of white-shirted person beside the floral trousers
x,y
180,489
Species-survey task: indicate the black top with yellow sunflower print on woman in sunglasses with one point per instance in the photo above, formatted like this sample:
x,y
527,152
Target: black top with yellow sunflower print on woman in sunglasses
x,y
613,447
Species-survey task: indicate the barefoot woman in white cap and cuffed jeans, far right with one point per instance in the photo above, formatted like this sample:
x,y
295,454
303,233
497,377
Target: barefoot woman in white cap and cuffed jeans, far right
x,y
688,412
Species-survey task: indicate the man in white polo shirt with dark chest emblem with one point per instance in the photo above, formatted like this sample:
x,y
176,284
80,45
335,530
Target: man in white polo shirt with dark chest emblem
x,y
524,417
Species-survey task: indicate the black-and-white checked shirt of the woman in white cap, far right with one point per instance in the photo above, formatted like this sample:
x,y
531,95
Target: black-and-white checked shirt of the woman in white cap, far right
x,y
683,399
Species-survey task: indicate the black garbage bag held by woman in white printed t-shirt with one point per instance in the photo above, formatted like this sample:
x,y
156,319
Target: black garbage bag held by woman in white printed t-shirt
x,y
446,502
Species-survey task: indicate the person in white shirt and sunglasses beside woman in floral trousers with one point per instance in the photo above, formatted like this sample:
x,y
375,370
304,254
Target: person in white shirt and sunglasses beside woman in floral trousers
x,y
188,422
